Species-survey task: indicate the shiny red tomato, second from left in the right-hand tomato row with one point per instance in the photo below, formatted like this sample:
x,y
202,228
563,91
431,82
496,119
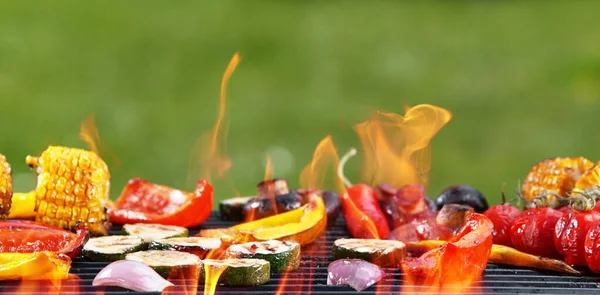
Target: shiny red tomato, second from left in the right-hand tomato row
x,y
533,232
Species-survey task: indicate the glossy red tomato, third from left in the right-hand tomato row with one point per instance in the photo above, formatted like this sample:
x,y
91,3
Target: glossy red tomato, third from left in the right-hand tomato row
x,y
569,235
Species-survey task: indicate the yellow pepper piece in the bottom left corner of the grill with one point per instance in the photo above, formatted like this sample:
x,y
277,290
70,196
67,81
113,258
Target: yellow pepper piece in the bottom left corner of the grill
x,y
44,265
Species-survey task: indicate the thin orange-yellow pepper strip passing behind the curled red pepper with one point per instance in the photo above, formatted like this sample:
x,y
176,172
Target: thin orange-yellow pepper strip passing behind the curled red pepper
x,y
503,255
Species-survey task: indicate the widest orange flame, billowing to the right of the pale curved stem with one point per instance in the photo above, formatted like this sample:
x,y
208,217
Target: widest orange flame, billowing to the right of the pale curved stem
x,y
396,147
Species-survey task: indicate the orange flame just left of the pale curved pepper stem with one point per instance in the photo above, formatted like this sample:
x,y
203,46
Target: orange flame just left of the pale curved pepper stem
x,y
322,169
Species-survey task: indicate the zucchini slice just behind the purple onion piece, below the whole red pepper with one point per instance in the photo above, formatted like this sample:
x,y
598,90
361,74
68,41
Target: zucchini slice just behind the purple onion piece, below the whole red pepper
x,y
385,253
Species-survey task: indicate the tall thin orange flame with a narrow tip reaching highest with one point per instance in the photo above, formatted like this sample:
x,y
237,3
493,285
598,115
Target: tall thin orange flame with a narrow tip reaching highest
x,y
212,160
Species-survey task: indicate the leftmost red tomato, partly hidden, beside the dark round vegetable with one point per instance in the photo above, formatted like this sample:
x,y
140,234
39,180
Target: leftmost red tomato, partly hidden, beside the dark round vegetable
x,y
502,216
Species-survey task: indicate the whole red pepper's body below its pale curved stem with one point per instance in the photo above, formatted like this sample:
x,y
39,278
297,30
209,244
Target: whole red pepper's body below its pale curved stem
x,y
363,214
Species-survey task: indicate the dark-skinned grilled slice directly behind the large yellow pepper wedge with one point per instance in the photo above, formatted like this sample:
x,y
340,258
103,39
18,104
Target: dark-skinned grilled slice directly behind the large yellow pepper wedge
x,y
262,207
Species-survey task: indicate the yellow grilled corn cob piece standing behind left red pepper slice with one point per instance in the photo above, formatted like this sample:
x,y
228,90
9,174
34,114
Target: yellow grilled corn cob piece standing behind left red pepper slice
x,y
73,186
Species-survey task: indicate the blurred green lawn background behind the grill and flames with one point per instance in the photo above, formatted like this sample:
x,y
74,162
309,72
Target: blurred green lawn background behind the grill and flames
x,y
521,78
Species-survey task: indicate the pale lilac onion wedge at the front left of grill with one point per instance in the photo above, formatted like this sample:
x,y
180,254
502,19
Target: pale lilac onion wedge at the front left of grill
x,y
131,275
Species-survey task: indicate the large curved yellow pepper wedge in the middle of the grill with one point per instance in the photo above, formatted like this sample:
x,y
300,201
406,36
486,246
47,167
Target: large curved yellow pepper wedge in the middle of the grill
x,y
303,225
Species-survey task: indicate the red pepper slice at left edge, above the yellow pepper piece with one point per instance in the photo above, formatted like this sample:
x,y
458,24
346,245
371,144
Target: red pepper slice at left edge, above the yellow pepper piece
x,y
26,237
